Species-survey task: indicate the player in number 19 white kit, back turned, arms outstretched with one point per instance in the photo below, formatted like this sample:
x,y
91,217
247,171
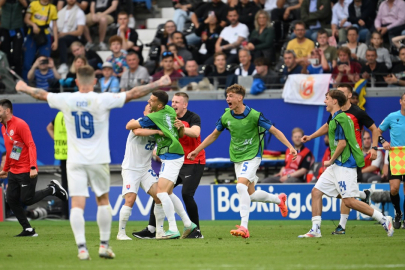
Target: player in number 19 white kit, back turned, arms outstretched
x,y
86,117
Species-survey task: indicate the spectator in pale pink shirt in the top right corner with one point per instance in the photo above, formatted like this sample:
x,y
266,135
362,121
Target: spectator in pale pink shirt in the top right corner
x,y
390,18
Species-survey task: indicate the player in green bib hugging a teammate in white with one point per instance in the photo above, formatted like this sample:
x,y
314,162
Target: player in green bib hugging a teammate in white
x,y
171,153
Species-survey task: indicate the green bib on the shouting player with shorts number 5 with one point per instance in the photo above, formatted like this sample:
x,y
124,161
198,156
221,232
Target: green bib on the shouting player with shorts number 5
x,y
246,135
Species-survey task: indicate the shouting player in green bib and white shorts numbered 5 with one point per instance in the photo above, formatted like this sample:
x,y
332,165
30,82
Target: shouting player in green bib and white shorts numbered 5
x,y
247,127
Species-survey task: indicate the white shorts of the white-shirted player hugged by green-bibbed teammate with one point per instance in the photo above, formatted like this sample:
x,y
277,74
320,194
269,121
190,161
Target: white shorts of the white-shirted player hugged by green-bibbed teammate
x,y
133,179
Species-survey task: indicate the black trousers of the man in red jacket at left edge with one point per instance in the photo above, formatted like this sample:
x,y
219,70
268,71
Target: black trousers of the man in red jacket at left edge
x,y
21,190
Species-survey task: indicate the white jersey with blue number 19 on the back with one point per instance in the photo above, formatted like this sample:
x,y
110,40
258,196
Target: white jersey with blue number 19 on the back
x,y
87,123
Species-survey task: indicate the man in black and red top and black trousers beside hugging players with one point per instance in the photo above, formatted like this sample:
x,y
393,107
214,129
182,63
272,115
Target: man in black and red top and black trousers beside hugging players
x,y
192,170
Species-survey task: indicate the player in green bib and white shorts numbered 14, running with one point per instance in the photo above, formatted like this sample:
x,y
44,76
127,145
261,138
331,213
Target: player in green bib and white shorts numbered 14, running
x,y
340,177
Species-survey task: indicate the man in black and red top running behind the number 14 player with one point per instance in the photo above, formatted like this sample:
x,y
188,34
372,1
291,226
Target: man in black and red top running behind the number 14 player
x,y
360,119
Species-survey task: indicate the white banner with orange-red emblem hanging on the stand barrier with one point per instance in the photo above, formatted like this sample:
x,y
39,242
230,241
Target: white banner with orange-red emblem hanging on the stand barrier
x,y
306,89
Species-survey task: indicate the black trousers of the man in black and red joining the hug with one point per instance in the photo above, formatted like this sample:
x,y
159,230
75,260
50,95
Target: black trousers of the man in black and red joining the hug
x,y
190,176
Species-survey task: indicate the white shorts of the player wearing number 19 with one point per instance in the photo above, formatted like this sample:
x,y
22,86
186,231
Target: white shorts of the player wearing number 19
x,y
80,176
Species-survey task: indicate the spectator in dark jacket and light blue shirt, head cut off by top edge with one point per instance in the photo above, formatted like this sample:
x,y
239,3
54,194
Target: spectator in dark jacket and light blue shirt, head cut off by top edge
x,y
316,15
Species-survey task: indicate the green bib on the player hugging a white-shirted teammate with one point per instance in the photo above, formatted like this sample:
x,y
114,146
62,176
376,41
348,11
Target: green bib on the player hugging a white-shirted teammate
x,y
164,120
